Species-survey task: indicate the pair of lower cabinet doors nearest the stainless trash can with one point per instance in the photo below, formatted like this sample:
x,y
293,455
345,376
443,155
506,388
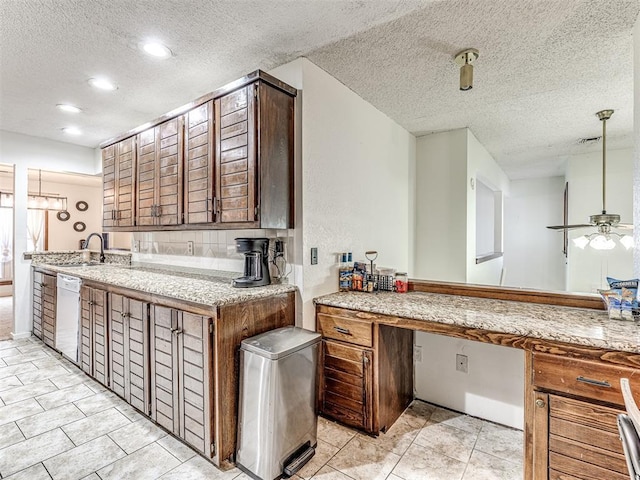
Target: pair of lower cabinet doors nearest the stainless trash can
x,y
181,359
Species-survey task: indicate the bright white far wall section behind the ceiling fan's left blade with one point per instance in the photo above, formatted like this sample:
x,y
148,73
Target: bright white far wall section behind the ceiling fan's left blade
x,y
533,255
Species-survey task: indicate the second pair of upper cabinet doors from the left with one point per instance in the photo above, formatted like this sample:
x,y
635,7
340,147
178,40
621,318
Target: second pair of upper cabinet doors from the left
x,y
159,174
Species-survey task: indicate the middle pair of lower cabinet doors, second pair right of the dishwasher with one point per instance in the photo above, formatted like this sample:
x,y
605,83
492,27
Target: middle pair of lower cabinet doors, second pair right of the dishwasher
x,y
128,358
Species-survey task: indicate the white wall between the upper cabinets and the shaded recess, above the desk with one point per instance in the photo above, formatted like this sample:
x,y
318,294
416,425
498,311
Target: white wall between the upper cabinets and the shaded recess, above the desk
x,y
355,176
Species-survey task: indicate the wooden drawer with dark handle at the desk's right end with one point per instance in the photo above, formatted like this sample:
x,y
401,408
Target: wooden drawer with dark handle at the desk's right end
x,y
583,378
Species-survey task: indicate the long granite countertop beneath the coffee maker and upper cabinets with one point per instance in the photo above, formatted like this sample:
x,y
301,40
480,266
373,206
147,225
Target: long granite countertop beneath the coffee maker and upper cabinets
x,y
205,287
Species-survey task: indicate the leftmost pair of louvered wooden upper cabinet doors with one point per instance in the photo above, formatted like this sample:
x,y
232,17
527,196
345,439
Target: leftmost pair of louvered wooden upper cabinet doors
x,y
118,182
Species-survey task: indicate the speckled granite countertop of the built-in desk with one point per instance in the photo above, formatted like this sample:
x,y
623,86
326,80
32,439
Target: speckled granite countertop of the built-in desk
x,y
578,326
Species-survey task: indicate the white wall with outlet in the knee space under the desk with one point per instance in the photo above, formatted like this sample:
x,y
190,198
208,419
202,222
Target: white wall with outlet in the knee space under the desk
x,y
493,388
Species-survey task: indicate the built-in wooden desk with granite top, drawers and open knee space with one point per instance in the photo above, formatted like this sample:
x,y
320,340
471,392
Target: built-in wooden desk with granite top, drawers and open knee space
x,y
574,358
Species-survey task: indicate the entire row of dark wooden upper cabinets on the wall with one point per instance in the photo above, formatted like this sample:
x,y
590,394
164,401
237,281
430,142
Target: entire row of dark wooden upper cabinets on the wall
x,y
227,162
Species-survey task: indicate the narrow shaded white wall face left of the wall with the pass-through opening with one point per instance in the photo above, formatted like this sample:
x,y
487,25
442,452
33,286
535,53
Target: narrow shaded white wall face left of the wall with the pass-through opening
x,y
440,207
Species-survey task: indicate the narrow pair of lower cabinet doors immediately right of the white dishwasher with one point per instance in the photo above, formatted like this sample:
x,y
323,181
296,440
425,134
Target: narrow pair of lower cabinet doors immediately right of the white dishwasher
x,y
93,330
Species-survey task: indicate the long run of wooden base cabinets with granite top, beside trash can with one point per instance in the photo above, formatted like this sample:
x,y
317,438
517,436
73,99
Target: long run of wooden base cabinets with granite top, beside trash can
x,y
167,341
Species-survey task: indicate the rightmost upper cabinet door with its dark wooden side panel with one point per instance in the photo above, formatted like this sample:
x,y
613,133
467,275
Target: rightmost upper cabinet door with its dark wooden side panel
x,y
254,157
